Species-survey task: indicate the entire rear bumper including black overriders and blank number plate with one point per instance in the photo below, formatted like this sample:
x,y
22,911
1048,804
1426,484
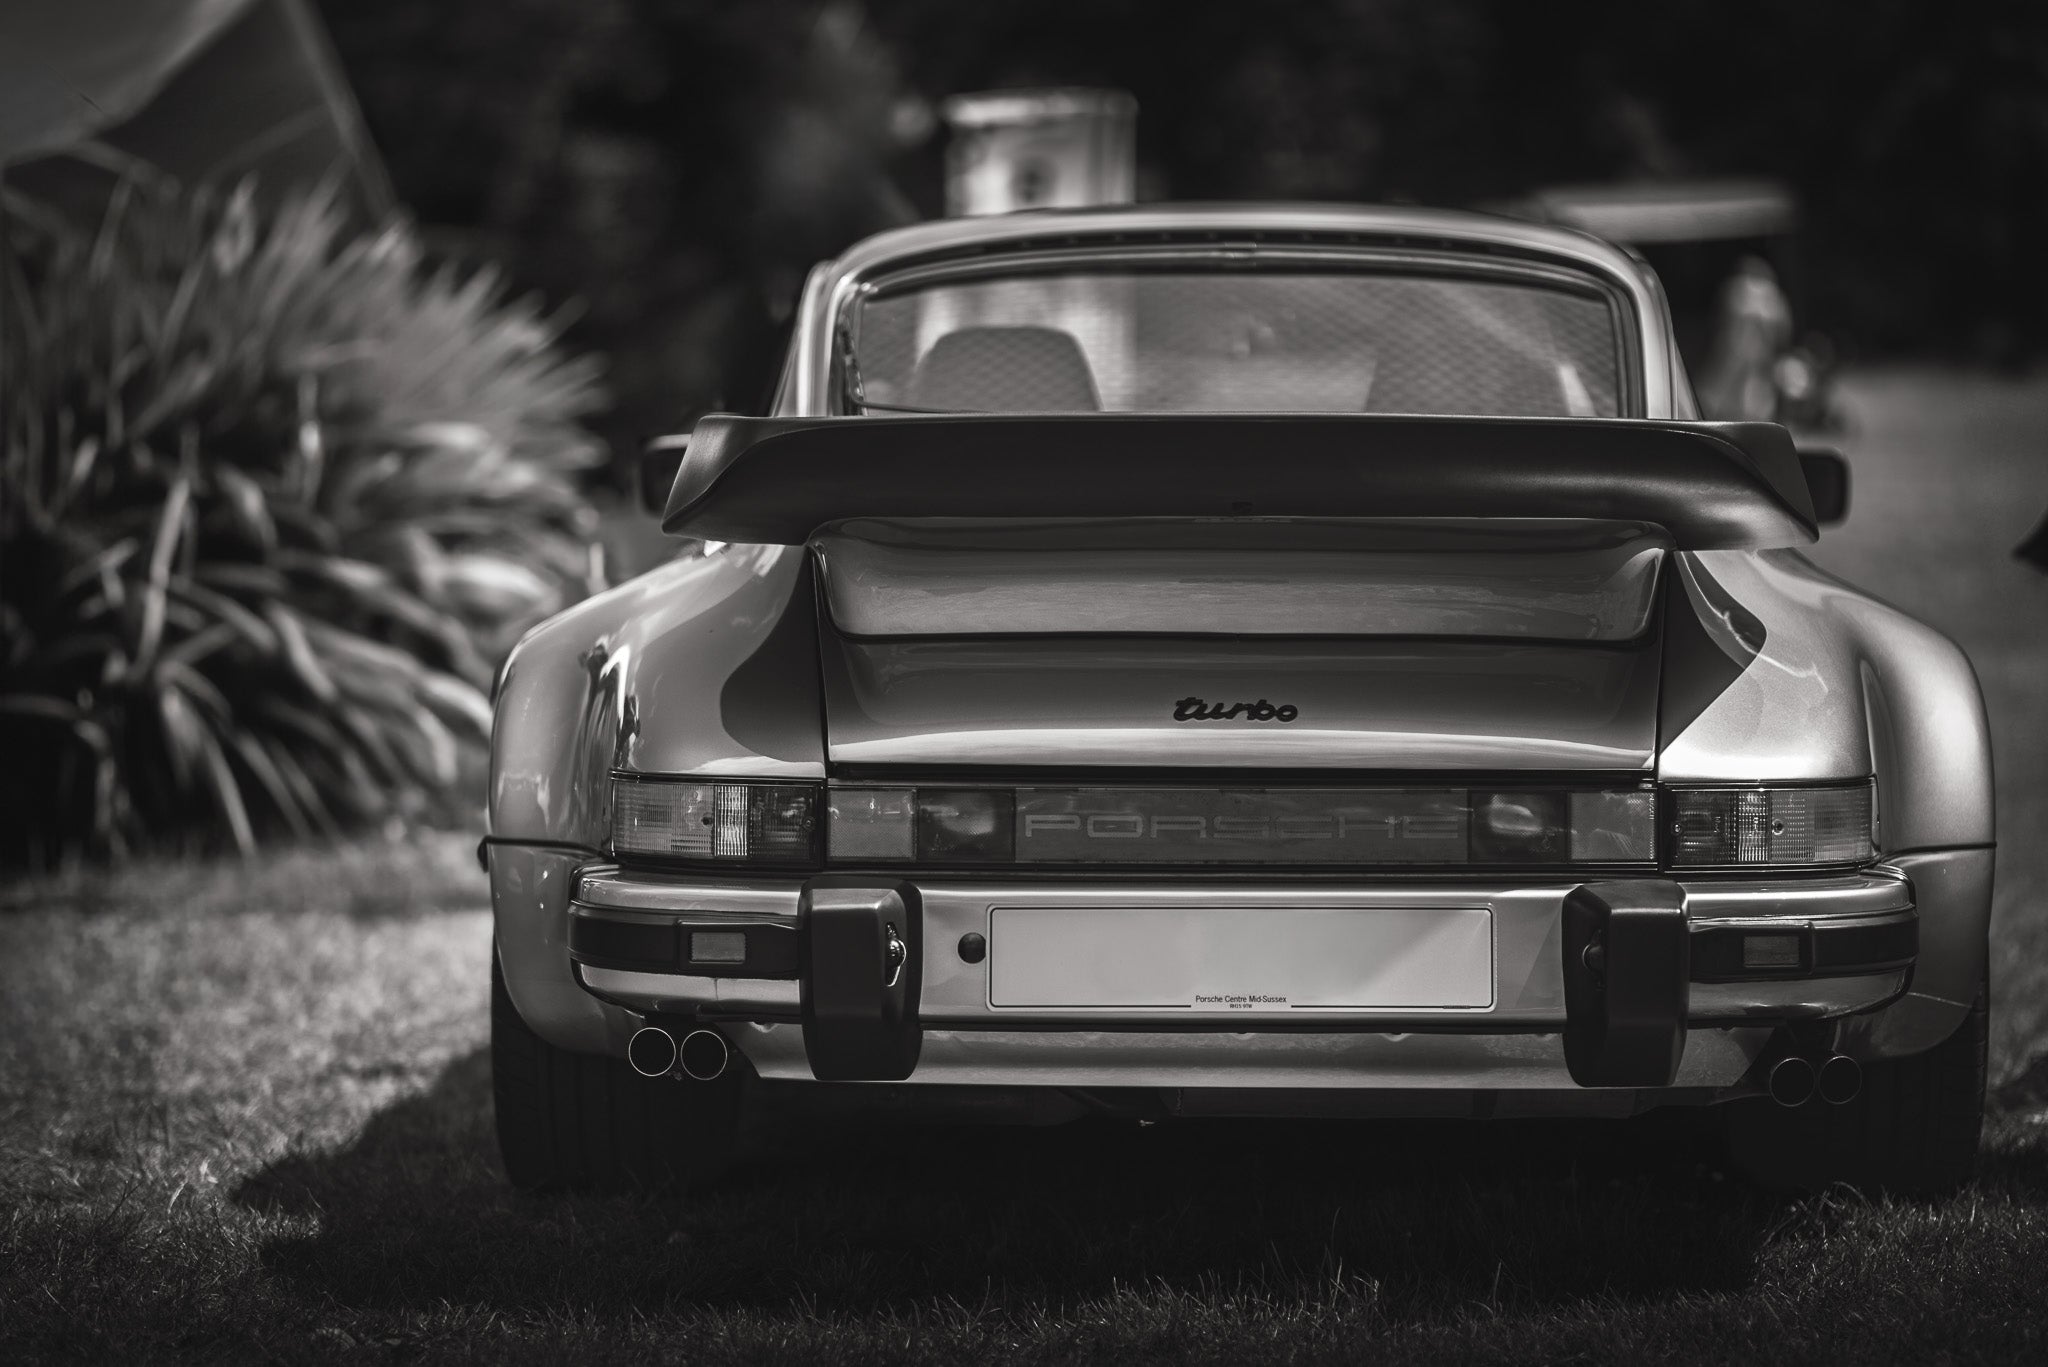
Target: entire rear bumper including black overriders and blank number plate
x,y
1641,983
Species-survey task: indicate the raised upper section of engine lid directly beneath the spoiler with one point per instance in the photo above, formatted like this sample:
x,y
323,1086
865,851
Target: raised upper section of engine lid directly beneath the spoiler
x,y
1529,579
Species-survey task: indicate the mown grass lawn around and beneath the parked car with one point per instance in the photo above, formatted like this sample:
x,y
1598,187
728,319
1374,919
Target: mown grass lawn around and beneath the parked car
x,y
245,1116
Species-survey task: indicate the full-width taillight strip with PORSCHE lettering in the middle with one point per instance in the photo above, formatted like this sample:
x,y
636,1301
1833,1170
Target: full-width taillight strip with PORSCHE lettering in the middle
x,y
794,825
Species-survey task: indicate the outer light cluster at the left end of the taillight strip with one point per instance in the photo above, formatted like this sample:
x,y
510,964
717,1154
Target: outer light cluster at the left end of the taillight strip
x,y
742,823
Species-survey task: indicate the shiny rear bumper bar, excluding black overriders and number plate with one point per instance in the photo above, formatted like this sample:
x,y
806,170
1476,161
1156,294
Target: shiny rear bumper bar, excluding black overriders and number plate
x,y
734,952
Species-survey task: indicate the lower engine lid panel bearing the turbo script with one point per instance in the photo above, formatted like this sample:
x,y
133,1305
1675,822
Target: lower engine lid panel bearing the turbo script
x,y
1394,704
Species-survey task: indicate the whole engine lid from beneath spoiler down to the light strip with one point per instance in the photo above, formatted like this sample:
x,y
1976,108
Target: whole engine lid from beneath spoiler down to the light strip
x,y
1420,645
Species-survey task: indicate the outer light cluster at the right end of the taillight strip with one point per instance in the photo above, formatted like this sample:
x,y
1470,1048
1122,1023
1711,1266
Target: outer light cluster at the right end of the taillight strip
x,y
1785,827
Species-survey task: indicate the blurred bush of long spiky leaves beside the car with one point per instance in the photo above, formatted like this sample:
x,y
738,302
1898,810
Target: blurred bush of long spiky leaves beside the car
x,y
275,501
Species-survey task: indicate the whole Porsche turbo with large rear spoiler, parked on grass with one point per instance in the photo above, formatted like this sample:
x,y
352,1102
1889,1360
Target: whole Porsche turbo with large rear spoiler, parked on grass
x,y
1240,661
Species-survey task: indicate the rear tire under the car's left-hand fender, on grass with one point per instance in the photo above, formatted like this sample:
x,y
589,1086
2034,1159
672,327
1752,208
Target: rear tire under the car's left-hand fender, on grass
x,y
591,1122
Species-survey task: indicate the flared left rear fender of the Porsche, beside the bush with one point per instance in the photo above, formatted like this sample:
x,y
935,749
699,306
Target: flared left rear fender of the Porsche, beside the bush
x,y
706,665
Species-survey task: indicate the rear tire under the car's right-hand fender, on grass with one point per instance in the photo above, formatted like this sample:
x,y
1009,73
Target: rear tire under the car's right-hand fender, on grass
x,y
1912,1130
